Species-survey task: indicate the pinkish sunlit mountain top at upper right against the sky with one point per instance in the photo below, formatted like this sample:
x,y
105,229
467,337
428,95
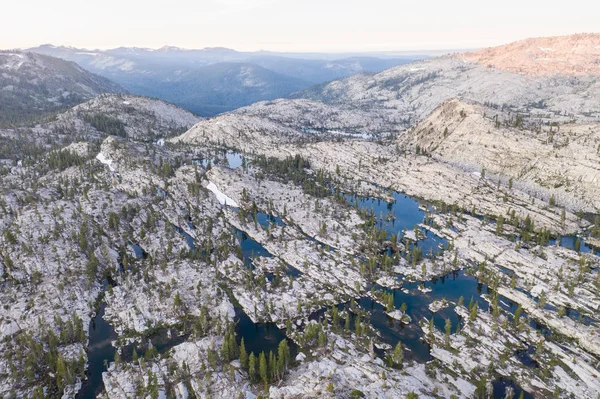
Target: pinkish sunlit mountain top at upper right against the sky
x,y
577,54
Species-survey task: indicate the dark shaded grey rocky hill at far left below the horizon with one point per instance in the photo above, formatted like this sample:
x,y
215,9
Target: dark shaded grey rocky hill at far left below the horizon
x,y
34,84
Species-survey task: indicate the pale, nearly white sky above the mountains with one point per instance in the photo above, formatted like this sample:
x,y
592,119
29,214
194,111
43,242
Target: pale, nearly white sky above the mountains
x,y
291,25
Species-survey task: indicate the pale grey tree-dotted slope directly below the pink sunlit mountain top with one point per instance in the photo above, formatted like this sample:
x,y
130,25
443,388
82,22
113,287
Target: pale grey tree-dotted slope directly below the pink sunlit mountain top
x,y
409,93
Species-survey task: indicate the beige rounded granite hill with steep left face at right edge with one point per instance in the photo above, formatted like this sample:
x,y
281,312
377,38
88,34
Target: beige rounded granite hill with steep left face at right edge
x,y
555,161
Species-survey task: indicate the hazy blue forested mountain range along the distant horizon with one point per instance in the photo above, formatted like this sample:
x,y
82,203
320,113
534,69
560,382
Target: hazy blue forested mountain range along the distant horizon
x,y
215,80
